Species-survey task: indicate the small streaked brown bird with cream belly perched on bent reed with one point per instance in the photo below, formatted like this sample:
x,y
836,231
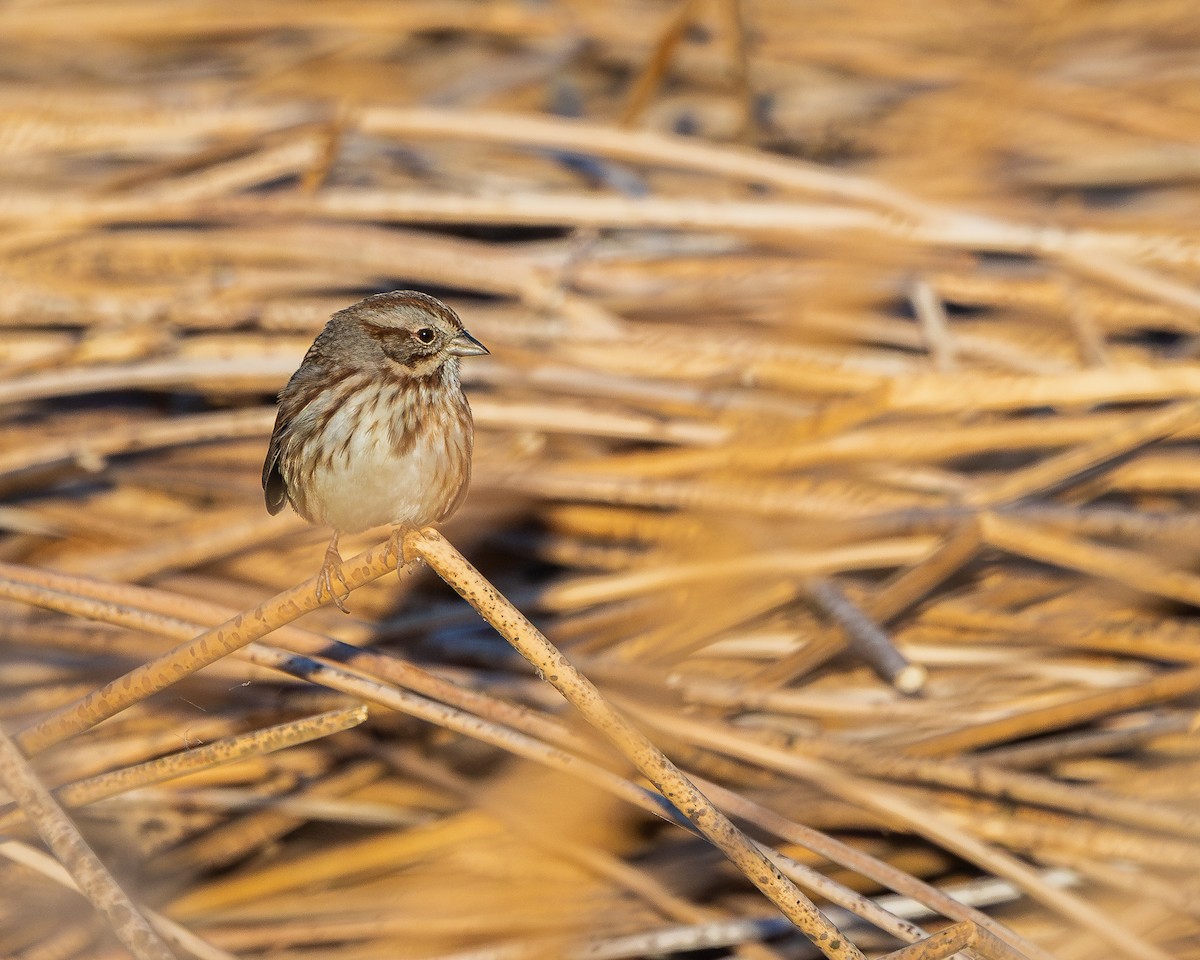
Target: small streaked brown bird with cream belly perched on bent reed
x,y
374,428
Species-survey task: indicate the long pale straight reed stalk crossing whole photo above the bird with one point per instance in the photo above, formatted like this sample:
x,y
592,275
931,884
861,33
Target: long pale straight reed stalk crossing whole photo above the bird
x,y
1085,253
